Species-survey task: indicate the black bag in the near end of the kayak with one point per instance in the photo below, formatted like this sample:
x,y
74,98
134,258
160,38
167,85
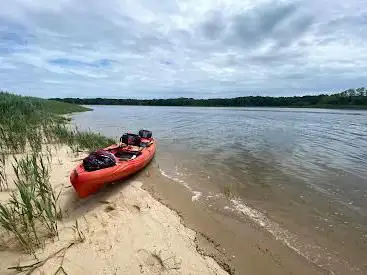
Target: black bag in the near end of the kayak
x,y
99,160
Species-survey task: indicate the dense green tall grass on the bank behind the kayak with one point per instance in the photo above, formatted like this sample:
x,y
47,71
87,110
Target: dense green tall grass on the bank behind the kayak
x,y
29,122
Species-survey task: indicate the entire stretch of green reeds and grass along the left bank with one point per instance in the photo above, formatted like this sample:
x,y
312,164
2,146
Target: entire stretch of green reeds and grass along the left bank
x,y
30,128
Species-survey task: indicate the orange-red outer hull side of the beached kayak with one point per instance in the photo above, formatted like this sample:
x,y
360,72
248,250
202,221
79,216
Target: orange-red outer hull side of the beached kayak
x,y
86,183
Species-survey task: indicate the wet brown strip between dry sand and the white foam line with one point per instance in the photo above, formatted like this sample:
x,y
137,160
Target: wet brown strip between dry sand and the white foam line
x,y
242,245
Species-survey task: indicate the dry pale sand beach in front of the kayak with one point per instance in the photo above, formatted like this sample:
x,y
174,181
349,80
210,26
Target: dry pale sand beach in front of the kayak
x,y
126,231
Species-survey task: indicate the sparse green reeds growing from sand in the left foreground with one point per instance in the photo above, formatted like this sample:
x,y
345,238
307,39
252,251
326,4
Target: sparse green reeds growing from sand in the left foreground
x,y
32,208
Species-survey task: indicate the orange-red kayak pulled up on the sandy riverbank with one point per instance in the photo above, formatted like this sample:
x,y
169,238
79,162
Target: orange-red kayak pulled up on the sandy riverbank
x,y
126,160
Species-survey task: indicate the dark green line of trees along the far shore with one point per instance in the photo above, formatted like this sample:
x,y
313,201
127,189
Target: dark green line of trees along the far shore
x,y
352,98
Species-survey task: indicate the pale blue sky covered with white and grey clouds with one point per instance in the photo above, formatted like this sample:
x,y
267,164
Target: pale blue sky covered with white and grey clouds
x,y
181,48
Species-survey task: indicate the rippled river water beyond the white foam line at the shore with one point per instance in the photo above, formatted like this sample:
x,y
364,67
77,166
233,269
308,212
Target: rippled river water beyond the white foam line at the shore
x,y
301,174
